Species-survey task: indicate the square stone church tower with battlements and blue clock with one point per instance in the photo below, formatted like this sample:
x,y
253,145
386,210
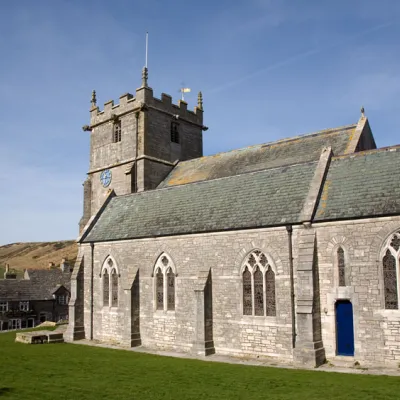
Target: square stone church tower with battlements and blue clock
x,y
136,143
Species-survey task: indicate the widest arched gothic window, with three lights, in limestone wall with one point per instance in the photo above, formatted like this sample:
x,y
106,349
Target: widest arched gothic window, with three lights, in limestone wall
x,y
258,285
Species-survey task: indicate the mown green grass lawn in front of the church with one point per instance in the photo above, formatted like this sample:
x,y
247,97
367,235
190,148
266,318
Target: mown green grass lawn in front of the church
x,y
66,371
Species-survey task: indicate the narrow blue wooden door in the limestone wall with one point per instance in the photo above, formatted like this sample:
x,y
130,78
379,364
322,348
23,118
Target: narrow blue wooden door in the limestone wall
x,y
344,328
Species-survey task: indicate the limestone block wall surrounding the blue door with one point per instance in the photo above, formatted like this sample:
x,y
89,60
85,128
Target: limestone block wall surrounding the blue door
x,y
376,330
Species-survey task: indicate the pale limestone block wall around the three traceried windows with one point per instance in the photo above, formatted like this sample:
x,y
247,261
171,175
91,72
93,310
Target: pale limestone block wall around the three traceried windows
x,y
223,253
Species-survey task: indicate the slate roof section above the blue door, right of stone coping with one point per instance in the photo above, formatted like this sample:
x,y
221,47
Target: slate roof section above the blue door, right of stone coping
x,y
362,185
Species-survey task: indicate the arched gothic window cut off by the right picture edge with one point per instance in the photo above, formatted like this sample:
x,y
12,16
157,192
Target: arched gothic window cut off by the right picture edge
x,y
390,264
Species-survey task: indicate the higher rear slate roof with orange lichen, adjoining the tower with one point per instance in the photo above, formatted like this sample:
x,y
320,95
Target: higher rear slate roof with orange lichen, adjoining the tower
x,y
295,150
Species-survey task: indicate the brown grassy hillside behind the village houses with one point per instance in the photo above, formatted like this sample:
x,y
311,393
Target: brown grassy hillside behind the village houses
x,y
36,254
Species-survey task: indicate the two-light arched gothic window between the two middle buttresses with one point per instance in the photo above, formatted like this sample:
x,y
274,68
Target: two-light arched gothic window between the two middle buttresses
x,y
165,279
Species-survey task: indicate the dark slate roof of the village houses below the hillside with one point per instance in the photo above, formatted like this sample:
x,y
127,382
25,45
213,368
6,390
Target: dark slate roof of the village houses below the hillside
x,y
41,285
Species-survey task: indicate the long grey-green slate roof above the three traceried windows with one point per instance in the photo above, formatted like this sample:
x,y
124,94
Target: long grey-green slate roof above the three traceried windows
x,y
265,198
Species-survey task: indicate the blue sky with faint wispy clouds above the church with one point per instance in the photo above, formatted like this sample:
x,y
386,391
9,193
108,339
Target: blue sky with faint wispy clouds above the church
x,y
268,69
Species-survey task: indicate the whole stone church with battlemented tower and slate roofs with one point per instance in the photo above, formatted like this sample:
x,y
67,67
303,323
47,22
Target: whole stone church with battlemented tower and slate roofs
x,y
287,249
